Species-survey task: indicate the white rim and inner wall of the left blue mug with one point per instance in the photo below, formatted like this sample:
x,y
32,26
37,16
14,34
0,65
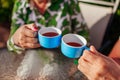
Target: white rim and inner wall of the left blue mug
x,y
49,29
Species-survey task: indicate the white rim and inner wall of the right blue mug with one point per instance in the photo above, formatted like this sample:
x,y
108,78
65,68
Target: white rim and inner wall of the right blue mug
x,y
83,42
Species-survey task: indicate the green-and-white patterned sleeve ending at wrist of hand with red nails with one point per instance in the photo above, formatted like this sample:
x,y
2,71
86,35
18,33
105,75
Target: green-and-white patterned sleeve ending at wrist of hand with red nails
x,y
16,22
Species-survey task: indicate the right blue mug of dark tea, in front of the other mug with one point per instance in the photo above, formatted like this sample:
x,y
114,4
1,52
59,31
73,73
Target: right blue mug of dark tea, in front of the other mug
x,y
73,45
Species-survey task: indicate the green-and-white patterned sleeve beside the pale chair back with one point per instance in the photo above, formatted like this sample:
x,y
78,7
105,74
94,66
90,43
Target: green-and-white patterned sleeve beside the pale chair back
x,y
78,24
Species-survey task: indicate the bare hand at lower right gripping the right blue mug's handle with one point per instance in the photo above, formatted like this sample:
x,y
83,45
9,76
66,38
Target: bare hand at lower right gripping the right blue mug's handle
x,y
97,66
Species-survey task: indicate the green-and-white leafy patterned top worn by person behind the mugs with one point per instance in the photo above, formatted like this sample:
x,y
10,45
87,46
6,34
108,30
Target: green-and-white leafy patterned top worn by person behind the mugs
x,y
63,14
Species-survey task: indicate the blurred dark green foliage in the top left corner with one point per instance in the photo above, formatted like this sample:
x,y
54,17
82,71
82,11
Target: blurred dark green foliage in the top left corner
x,y
6,7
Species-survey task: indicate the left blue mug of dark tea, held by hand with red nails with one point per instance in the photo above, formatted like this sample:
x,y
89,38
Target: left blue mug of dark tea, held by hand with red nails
x,y
49,37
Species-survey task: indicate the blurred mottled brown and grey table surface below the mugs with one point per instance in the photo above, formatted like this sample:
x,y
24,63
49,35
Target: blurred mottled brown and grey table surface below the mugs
x,y
51,64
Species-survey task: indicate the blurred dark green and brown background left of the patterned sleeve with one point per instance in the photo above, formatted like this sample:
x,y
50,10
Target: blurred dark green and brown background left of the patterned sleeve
x,y
6,7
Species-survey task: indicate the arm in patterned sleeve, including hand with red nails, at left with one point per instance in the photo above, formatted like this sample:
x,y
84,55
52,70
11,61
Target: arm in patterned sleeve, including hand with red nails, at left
x,y
23,35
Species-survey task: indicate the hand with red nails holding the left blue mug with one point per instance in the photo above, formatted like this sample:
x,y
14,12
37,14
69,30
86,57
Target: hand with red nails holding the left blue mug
x,y
25,36
